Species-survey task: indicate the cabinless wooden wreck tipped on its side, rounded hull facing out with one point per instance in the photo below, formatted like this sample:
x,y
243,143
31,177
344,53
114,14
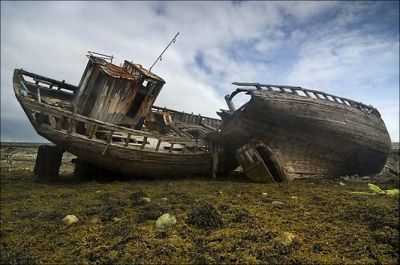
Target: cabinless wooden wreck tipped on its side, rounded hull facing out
x,y
292,132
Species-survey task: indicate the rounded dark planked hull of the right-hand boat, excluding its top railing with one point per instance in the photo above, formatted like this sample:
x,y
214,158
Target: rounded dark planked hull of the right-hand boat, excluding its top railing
x,y
310,136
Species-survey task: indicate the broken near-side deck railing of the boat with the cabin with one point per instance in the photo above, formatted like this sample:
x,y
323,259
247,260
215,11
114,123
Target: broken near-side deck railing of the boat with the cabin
x,y
110,134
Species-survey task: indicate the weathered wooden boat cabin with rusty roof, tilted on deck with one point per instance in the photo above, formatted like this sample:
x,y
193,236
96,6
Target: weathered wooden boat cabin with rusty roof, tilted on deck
x,y
119,95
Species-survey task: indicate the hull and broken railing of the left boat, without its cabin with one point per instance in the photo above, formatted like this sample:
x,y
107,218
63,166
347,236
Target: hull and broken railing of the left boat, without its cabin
x,y
116,148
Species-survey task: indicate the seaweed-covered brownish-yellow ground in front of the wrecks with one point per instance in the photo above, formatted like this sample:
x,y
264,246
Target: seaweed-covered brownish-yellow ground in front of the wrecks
x,y
221,221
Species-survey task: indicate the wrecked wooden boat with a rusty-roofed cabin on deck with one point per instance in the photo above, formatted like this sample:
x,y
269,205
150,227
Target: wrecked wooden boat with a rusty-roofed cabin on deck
x,y
109,120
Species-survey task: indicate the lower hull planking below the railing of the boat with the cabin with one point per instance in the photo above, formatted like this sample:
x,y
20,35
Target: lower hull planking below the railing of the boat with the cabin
x,y
129,161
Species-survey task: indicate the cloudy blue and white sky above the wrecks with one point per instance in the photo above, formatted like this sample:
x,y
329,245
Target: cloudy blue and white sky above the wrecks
x,y
349,49
